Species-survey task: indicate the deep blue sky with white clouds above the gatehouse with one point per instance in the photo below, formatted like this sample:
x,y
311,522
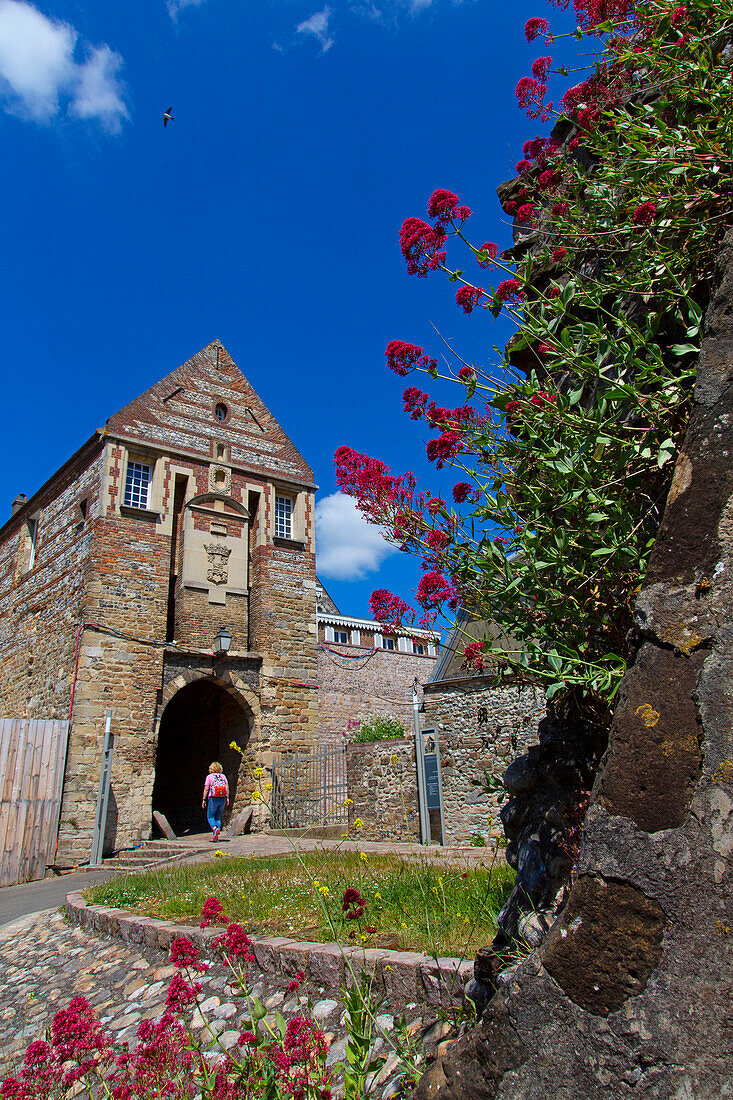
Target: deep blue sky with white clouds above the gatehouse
x,y
266,216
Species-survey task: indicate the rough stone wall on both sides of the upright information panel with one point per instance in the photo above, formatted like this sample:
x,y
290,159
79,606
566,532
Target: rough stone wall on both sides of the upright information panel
x,y
480,729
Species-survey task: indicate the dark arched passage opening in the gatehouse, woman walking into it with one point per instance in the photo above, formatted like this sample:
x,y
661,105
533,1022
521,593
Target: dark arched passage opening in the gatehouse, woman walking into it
x,y
198,727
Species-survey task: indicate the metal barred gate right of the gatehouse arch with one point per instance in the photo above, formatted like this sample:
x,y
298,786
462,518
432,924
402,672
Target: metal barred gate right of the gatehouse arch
x,y
310,789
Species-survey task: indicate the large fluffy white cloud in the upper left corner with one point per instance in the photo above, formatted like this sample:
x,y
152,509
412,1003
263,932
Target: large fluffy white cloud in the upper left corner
x,y
38,70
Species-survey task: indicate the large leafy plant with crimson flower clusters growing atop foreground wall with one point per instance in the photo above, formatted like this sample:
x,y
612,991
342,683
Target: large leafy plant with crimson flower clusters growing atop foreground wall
x,y
567,445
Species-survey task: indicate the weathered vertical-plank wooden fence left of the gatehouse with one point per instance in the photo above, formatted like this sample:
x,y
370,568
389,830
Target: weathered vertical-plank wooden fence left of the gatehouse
x,y
32,761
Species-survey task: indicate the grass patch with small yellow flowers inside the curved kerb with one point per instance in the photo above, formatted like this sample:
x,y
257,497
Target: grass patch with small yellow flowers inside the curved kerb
x,y
412,905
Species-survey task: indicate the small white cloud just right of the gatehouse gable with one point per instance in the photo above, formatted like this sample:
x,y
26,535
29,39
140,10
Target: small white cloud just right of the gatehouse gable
x,y
347,546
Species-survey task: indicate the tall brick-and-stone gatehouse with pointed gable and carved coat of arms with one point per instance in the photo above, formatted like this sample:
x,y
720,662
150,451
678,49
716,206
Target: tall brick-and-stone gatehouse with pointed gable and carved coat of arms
x,y
189,512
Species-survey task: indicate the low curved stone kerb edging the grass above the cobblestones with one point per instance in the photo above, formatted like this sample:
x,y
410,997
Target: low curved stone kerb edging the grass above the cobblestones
x,y
401,976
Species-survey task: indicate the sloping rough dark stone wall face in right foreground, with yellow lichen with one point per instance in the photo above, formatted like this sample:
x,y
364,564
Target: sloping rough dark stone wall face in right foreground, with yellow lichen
x,y
632,994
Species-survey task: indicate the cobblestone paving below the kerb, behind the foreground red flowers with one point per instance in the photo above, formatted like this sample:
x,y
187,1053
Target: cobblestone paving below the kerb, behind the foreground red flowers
x,y
46,962
